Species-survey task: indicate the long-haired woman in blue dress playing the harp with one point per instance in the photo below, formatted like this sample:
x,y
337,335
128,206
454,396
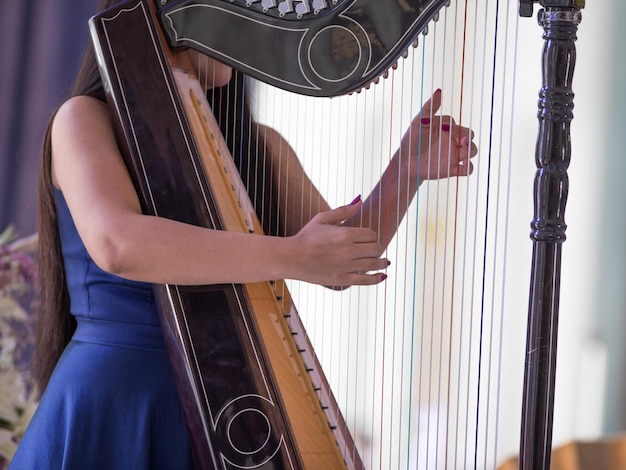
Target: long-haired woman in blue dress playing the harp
x,y
108,395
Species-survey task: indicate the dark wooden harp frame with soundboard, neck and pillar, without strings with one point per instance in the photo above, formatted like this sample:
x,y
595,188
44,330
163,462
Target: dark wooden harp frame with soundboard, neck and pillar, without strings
x,y
253,391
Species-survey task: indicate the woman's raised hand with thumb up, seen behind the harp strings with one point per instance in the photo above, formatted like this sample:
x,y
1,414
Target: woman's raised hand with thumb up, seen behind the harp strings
x,y
436,146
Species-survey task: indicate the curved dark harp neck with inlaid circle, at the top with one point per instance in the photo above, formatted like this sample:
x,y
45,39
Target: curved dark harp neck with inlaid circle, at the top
x,y
317,48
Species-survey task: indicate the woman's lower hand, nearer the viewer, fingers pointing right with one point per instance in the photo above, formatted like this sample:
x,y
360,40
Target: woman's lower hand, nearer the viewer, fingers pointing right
x,y
331,254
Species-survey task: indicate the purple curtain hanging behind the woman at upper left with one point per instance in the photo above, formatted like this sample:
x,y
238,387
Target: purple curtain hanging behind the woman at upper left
x,y
41,42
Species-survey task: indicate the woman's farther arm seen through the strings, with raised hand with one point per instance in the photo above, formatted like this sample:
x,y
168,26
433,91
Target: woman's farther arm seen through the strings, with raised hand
x,y
433,147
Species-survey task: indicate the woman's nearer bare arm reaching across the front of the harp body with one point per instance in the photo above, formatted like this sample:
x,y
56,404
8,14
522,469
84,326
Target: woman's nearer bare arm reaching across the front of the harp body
x,y
89,170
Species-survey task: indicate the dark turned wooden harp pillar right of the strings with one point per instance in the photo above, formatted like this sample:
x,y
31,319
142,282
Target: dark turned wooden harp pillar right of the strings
x,y
560,20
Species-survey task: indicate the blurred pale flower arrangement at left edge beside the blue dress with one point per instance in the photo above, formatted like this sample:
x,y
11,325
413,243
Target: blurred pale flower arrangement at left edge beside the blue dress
x,y
18,288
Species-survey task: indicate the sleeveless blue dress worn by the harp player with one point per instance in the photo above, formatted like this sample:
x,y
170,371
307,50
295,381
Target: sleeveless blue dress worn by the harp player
x,y
111,402
